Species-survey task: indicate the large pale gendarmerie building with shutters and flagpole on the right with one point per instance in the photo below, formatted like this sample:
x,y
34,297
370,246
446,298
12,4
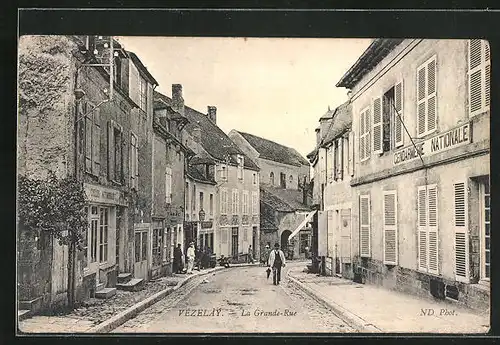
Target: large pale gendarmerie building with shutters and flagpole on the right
x,y
421,206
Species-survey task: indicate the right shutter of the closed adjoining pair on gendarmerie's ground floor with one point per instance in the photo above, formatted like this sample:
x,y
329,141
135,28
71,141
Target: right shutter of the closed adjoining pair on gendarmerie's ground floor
x,y
432,230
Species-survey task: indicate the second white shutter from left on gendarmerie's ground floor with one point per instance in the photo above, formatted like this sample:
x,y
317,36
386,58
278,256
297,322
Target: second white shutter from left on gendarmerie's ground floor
x,y
390,228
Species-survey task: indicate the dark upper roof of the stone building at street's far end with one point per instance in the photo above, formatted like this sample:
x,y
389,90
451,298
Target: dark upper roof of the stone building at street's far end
x,y
273,151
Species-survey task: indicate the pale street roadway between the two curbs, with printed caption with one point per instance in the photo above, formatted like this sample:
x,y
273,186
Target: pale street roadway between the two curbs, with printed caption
x,y
236,300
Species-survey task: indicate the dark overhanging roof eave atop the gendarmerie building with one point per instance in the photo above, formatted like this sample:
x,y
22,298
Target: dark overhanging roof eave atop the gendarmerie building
x,y
376,52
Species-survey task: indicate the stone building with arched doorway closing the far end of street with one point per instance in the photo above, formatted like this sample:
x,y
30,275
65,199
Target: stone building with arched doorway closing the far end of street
x,y
284,186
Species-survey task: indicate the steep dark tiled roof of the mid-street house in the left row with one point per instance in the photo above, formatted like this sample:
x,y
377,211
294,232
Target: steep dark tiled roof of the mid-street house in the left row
x,y
213,139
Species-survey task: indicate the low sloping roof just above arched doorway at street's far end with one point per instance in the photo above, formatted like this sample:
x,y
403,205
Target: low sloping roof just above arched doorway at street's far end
x,y
284,200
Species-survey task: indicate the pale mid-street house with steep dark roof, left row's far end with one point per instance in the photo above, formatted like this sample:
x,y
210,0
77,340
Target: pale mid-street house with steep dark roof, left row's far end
x,y
221,172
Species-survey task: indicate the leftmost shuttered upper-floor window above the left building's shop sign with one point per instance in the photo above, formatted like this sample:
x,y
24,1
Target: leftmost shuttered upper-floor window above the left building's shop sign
x,y
90,140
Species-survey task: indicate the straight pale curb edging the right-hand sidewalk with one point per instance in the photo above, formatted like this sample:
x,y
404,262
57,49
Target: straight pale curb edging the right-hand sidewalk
x,y
345,315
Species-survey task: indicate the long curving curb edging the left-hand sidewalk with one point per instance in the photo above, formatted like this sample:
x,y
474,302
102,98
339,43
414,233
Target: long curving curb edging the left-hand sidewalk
x,y
131,312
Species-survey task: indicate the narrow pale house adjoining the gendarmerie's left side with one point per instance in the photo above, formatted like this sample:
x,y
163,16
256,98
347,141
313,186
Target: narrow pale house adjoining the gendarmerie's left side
x,y
332,161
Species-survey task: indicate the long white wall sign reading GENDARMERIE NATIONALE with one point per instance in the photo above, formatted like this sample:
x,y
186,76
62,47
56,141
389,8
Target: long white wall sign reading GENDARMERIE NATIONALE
x,y
457,136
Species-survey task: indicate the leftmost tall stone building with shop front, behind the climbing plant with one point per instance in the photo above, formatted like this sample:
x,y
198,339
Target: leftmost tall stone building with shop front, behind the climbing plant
x,y
72,122
